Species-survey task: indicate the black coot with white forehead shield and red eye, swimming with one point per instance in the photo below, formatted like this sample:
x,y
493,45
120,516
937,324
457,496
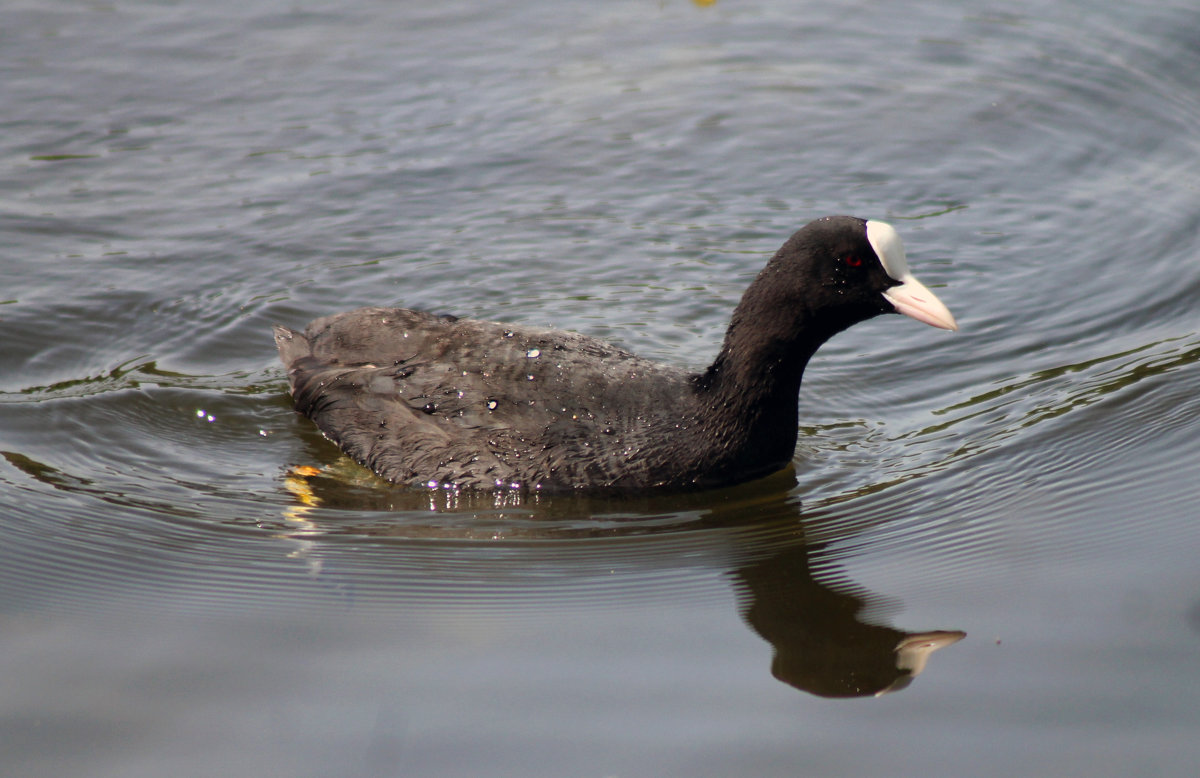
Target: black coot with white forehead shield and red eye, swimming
x,y
465,404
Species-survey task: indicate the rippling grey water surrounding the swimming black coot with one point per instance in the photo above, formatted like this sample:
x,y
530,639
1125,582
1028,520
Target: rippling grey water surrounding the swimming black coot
x,y
179,595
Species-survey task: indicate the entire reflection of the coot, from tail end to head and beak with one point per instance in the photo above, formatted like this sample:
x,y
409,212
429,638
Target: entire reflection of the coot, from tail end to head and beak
x,y
823,644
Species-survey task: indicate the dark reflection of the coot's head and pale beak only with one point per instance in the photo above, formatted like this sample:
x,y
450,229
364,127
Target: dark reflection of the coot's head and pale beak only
x,y
821,645
